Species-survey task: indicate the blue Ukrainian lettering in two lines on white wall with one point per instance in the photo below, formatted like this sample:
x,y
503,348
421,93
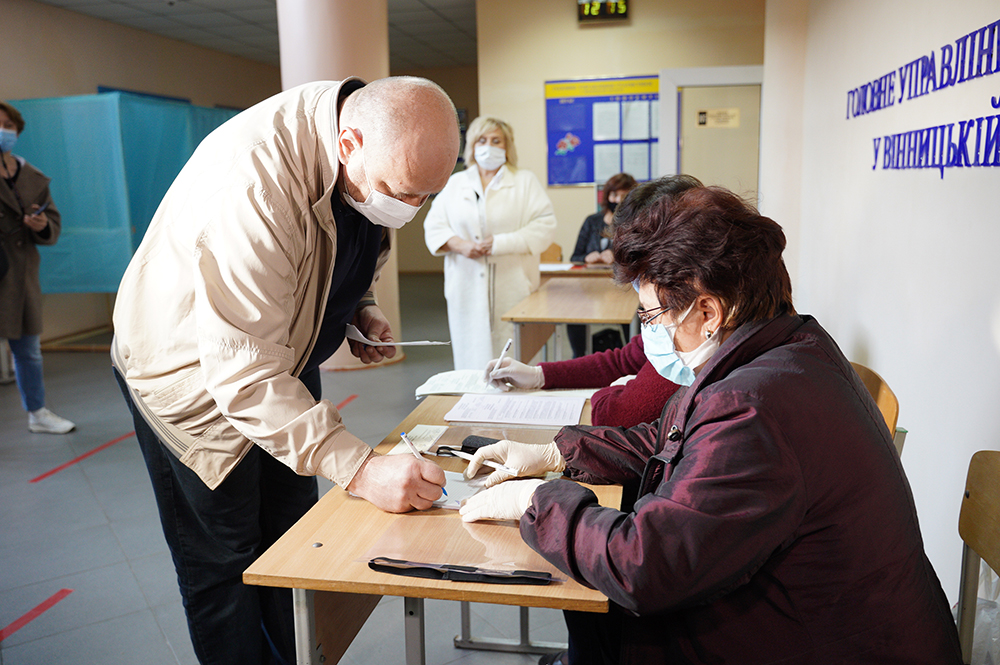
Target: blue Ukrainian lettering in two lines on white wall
x,y
962,144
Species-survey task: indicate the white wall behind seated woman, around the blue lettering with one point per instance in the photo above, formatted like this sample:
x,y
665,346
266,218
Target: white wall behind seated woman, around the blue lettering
x,y
899,265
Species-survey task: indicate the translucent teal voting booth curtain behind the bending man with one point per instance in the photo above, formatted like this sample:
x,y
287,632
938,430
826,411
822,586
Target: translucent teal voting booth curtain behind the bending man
x,y
111,158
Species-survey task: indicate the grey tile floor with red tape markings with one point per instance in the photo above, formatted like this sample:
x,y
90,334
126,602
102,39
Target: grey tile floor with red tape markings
x,y
92,527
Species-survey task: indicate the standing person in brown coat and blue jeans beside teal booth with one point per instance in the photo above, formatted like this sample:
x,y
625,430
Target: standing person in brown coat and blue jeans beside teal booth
x,y
28,217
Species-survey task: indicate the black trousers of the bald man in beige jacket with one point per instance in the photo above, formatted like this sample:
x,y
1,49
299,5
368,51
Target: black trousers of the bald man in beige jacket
x,y
214,535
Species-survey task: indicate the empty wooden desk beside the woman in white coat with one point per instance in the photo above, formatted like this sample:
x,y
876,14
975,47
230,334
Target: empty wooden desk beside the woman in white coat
x,y
568,300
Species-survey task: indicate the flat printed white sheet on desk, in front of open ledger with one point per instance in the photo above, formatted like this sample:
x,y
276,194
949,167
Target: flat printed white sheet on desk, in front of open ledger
x,y
539,410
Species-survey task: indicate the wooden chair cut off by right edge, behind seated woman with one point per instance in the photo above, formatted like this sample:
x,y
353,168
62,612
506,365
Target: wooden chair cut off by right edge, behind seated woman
x,y
979,527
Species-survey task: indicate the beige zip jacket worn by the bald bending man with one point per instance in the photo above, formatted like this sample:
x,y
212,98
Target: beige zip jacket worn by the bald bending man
x,y
221,304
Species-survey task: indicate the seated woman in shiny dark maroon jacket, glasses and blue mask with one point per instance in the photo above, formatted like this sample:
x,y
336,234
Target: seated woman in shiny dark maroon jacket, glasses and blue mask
x,y
767,518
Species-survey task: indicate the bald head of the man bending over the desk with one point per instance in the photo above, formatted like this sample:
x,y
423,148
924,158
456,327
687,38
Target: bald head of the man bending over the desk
x,y
409,130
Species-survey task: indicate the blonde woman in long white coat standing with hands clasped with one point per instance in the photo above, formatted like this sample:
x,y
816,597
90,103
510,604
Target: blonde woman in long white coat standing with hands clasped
x,y
491,223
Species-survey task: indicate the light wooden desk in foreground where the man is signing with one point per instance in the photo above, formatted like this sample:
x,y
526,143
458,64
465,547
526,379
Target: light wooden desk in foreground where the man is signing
x,y
324,559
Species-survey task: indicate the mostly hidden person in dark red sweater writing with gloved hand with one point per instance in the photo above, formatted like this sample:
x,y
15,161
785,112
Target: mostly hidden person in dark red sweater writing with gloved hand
x,y
631,390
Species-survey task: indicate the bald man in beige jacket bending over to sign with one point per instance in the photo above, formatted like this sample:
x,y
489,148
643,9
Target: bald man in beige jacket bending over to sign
x,y
265,246
